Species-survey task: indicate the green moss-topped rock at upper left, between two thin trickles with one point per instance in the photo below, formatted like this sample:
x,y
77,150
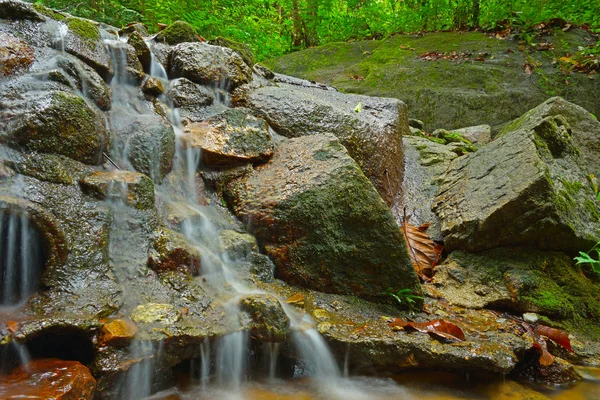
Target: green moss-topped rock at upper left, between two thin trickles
x,y
83,41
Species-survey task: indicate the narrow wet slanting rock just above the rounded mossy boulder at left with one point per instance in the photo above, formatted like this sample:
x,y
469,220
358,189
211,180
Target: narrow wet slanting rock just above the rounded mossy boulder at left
x,y
87,81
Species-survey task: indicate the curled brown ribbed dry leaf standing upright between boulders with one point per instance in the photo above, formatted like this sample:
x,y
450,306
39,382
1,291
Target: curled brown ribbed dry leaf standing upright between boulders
x,y
424,252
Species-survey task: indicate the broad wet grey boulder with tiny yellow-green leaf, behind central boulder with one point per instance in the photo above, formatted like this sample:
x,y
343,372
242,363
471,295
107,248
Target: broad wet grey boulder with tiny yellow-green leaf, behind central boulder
x,y
373,136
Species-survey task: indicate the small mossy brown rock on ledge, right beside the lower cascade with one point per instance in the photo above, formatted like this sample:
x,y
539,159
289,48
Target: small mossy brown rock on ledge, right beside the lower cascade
x,y
269,323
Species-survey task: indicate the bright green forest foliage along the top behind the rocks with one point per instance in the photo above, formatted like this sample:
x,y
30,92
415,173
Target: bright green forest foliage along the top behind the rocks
x,y
272,28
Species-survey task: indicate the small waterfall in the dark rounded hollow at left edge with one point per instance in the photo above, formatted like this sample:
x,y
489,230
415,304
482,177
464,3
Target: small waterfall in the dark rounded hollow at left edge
x,y
21,258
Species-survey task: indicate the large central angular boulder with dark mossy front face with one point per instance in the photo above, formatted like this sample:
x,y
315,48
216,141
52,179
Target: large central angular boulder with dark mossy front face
x,y
353,247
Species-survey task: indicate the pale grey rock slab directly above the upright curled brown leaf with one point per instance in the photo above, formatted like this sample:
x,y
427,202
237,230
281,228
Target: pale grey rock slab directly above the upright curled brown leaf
x,y
424,162
